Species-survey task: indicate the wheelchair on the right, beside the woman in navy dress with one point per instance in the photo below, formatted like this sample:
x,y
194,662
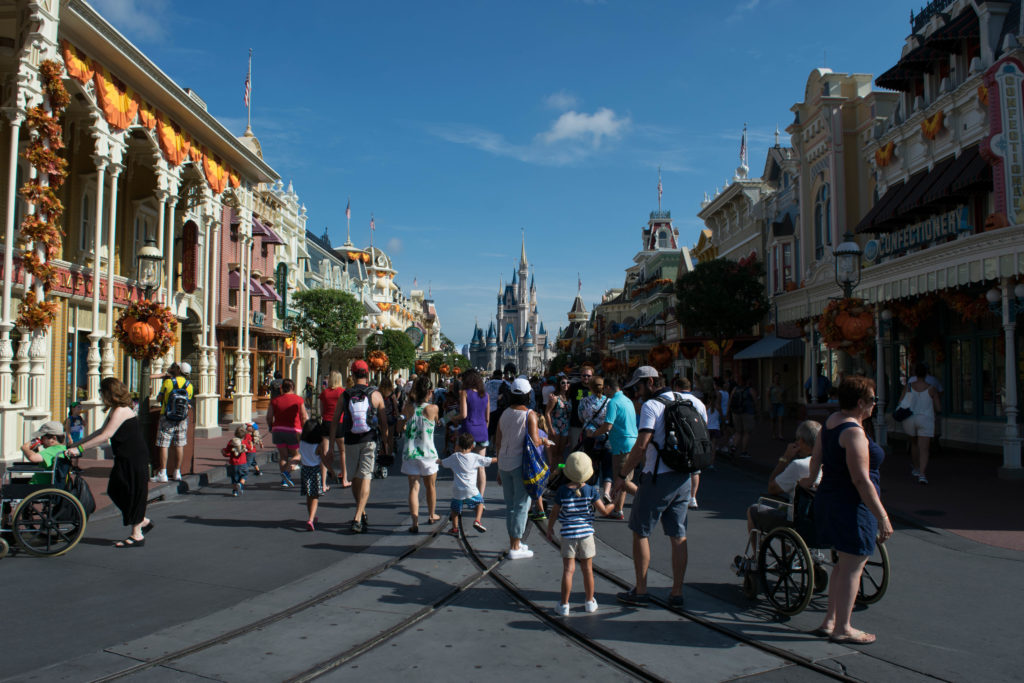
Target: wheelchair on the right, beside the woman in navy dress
x,y
790,566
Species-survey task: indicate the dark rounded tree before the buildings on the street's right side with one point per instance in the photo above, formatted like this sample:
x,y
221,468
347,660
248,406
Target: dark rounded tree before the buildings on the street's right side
x,y
721,300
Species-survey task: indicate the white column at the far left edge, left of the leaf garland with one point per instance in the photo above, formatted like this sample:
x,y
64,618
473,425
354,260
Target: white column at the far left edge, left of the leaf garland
x,y
9,413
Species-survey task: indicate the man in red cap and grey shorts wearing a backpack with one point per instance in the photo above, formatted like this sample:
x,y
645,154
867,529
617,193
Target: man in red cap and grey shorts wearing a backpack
x,y
364,422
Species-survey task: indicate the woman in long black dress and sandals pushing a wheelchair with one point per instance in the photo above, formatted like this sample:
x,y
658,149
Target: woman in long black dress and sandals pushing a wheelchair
x,y
130,483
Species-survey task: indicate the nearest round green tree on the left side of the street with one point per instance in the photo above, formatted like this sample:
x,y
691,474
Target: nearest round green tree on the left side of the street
x,y
328,320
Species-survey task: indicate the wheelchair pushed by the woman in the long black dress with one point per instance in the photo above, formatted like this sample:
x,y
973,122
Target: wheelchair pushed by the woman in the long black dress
x,y
38,514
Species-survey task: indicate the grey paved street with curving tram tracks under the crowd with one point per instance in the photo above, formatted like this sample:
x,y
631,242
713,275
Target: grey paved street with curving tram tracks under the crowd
x,y
216,565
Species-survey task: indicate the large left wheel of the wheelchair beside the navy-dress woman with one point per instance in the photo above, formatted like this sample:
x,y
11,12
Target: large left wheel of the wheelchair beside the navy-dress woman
x,y
787,571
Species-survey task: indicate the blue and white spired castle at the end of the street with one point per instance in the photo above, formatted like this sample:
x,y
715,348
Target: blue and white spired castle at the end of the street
x,y
518,334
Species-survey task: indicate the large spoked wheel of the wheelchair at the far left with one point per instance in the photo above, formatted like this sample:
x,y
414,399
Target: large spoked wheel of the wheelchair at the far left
x,y
49,523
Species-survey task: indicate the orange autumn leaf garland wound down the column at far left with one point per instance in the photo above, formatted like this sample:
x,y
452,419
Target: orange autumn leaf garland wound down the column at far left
x,y
42,227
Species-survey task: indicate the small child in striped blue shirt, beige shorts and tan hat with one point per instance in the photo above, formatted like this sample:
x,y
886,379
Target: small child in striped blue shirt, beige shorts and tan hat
x,y
574,508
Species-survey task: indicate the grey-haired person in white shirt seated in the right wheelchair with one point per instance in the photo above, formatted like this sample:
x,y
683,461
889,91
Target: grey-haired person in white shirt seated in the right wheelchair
x,y
792,467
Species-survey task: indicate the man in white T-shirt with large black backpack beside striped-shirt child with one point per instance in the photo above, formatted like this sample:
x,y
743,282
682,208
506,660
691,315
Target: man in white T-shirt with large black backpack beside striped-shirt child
x,y
672,443
